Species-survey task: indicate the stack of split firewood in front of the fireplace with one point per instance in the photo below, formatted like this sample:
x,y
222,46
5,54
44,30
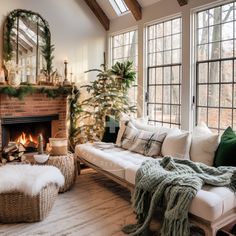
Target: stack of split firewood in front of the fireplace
x,y
13,152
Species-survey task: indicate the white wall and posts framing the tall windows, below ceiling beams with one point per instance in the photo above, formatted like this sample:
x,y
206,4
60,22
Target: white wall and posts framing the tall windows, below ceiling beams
x,y
155,12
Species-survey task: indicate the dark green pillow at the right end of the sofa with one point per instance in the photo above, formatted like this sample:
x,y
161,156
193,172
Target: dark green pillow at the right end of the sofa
x,y
226,153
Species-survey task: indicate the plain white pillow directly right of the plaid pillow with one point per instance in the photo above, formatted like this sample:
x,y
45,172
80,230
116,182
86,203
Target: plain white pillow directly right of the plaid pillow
x,y
177,144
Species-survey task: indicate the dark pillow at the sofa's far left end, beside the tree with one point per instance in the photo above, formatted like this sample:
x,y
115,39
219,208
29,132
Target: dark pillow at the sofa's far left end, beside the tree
x,y
111,130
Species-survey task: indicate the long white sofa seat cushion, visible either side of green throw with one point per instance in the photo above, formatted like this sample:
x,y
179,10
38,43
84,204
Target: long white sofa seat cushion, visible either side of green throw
x,y
209,203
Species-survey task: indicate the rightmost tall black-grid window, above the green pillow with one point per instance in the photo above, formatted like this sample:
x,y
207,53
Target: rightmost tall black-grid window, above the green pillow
x,y
215,67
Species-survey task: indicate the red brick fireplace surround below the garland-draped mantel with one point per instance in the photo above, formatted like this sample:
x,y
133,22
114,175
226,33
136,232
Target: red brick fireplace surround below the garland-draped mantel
x,y
36,105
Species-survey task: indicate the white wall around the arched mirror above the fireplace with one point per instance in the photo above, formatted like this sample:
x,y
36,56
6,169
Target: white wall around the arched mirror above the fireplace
x,y
76,33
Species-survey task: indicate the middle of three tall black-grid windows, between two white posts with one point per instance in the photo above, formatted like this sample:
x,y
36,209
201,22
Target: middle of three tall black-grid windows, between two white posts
x,y
164,72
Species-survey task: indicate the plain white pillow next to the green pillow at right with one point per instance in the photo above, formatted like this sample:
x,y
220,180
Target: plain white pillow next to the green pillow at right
x,y
204,145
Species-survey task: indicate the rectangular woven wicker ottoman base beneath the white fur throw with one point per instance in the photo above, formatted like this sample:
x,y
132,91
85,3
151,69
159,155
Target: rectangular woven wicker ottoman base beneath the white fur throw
x,y
18,207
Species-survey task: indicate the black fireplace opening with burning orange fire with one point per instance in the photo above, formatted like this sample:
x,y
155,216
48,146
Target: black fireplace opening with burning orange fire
x,y
25,130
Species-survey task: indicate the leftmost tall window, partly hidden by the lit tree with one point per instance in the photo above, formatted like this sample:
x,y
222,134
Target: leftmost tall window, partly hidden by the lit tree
x,y
124,47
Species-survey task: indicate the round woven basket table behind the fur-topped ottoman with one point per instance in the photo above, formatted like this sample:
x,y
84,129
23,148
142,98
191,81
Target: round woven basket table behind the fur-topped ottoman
x,y
68,167
